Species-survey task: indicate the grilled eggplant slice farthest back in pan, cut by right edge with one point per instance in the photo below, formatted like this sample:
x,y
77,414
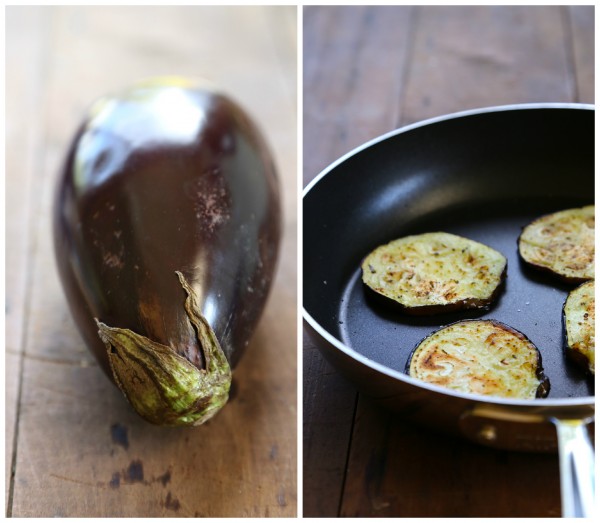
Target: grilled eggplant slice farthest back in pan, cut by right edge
x,y
561,243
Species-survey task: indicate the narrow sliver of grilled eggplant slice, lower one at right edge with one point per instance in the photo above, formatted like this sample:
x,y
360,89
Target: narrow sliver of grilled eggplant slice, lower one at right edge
x,y
579,316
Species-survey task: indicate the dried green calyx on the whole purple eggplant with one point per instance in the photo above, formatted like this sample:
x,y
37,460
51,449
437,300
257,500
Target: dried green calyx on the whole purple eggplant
x,y
162,386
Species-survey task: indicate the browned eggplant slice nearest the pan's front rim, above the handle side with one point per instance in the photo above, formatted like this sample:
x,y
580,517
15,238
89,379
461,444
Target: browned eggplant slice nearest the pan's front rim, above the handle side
x,y
480,357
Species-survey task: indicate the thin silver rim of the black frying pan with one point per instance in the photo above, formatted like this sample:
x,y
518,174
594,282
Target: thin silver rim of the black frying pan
x,y
394,374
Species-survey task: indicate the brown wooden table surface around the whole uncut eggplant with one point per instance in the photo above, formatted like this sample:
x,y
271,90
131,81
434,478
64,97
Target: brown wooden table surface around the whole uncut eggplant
x,y
74,447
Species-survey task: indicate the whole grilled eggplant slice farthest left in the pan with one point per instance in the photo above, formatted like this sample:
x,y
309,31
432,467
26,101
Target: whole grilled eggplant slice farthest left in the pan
x,y
435,272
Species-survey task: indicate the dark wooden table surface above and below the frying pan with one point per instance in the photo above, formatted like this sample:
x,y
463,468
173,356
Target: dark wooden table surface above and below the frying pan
x,y
368,70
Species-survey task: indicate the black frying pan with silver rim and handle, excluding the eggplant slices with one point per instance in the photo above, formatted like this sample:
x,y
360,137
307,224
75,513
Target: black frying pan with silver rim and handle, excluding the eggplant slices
x,y
483,174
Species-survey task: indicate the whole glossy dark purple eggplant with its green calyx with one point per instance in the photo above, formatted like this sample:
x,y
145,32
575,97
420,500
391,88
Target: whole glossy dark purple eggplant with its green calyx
x,y
167,224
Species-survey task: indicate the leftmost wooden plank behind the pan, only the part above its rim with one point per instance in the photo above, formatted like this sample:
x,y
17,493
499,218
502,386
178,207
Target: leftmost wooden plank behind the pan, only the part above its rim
x,y
351,85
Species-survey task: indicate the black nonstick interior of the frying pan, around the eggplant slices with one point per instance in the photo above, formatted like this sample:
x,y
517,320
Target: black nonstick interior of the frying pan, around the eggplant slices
x,y
483,176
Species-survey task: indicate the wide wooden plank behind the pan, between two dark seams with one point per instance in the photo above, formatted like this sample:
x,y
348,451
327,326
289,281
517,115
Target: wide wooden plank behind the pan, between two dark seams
x,y
467,57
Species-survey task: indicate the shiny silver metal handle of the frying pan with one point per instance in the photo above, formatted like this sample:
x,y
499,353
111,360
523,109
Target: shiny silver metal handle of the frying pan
x,y
577,467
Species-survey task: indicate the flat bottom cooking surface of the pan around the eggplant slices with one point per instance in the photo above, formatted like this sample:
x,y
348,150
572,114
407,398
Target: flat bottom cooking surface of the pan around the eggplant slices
x,y
530,302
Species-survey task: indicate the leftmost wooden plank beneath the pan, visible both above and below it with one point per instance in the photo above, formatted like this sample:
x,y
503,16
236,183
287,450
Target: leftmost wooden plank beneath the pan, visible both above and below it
x,y
350,94
